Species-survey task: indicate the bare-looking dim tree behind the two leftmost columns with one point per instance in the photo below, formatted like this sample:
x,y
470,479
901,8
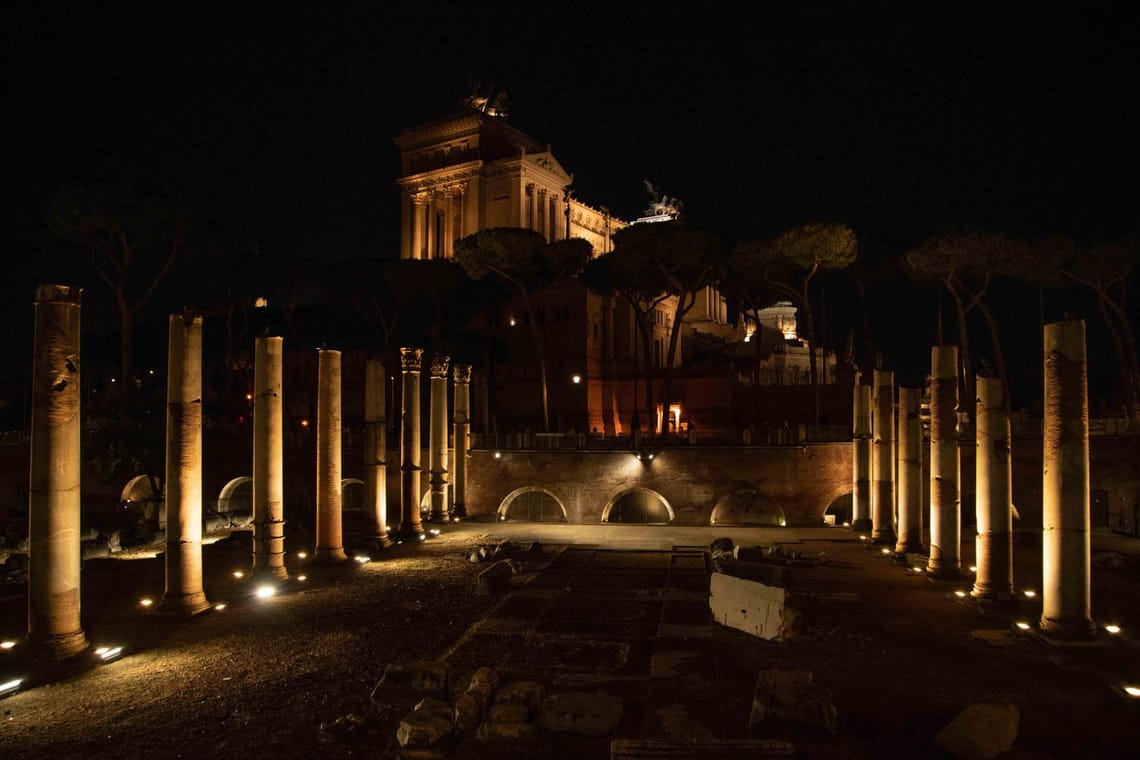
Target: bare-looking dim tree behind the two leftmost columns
x,y
136,239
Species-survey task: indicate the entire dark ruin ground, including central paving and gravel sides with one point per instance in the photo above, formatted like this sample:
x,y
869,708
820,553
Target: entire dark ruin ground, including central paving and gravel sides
x,y
898,652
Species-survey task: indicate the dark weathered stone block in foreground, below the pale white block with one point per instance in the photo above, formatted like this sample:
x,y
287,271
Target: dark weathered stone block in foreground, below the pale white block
x,y
791,699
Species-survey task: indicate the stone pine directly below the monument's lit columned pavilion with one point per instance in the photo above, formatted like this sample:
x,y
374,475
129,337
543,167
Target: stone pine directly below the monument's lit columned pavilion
x,y
531,266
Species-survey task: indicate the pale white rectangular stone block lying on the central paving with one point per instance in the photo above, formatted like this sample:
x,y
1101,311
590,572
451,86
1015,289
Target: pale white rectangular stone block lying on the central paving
x,y
754,608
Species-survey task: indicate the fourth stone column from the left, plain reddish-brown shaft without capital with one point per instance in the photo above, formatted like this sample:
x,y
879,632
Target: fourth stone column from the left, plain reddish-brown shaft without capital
x,y
330,538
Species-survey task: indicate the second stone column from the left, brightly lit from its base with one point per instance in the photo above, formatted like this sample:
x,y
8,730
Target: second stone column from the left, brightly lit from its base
x,y
184,595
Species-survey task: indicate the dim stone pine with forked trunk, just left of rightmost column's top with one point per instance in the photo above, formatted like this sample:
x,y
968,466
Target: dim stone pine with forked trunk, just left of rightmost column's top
x,y
966,264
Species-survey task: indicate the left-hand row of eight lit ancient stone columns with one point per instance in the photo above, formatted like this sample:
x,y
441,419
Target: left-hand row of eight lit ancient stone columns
x,y
54,626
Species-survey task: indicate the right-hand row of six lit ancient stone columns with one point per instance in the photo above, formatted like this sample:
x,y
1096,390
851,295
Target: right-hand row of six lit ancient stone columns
x,y
880,508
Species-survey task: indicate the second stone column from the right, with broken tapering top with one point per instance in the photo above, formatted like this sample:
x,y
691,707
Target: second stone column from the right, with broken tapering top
x,y
995,496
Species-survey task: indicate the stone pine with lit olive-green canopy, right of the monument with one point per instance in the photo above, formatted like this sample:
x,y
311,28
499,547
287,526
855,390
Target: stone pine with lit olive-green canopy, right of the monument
x,y
791,263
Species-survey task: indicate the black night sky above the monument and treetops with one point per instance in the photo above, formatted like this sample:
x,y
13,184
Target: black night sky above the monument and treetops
x,y
275,125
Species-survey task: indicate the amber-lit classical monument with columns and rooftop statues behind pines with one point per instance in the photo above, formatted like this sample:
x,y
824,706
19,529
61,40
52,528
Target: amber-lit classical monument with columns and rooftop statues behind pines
x,y
471,171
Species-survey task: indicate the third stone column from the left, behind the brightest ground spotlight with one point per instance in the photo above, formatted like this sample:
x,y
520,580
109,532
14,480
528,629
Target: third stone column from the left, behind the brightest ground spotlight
x,y
268,461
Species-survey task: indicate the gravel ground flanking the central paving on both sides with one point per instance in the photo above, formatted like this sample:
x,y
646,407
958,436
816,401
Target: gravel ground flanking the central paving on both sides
x,y
258,679
